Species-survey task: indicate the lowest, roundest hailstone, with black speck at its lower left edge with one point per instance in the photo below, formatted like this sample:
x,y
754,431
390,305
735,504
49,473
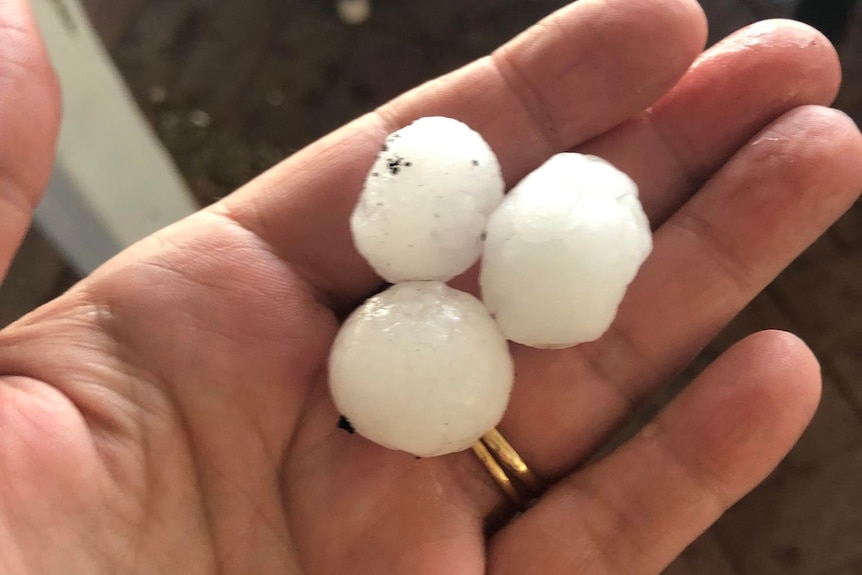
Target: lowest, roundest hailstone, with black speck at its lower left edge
x,y
421,367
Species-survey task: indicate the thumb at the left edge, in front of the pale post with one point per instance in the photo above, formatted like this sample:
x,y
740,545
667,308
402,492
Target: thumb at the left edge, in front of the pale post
x,y
29,120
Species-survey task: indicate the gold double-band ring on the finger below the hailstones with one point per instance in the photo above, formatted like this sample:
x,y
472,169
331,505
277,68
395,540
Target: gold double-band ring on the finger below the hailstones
x,y
507,469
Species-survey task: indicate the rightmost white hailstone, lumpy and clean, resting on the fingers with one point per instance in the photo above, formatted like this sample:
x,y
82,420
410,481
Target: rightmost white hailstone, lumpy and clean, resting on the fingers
x,y
561,250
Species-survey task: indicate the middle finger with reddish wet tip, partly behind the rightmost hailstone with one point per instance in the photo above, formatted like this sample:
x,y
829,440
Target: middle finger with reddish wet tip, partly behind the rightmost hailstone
x,y
733,90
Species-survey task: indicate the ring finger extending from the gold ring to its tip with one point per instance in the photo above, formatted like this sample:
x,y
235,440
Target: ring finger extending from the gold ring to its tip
x,y
777,195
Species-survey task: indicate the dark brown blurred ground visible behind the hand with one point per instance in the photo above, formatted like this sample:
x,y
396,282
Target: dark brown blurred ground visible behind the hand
x,y
230,87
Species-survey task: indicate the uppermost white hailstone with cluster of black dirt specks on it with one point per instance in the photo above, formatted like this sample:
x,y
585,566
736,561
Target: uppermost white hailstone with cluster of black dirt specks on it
x,y
426,201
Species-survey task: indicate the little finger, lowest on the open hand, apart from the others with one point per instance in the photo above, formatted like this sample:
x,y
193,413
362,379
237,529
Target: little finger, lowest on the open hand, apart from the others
x,y
634,511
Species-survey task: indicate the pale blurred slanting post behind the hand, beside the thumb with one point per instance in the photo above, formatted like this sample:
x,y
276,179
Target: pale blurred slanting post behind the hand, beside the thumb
x,y
114,183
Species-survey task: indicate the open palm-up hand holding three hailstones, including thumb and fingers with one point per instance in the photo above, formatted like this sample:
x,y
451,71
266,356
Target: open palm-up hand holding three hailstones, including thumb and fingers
x,y
170,413
